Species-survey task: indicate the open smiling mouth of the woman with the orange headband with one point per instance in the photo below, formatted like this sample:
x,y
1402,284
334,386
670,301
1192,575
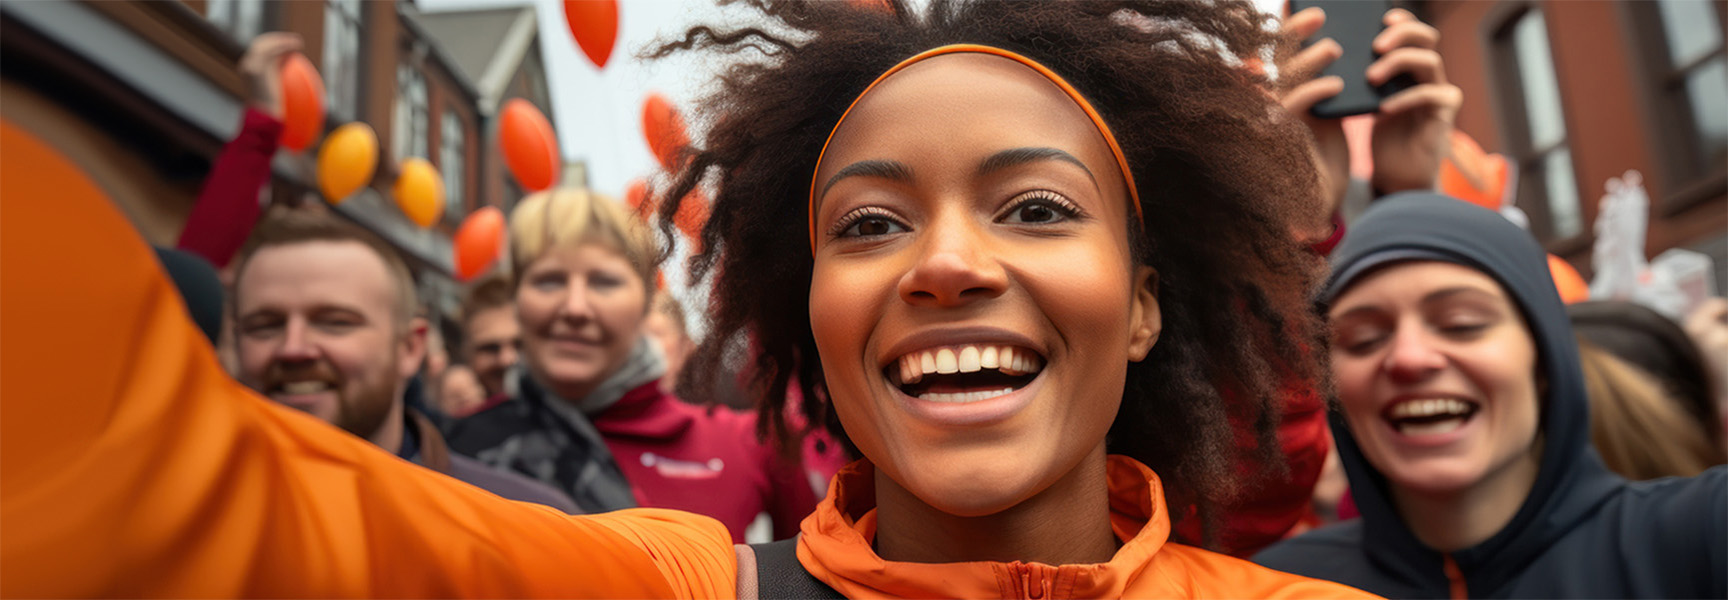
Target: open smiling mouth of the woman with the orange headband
x,y
963,374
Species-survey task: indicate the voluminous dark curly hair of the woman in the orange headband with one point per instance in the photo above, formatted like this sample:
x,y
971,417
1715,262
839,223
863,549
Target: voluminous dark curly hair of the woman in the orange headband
x,y
1226,181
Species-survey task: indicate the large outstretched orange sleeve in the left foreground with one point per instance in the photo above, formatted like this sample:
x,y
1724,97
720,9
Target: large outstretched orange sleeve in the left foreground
x,y
132,466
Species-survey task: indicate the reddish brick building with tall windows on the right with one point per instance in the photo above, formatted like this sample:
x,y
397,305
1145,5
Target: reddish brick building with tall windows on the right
x,y
1580,93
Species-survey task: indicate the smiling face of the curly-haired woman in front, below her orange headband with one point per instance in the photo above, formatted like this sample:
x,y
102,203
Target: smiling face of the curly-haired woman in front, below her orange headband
x,y
974,293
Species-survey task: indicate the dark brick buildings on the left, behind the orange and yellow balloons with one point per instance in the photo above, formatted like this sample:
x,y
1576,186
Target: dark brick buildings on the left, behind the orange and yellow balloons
x,y
144,96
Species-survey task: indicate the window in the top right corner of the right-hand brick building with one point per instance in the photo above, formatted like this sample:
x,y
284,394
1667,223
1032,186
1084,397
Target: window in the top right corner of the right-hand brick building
x,y
1689,73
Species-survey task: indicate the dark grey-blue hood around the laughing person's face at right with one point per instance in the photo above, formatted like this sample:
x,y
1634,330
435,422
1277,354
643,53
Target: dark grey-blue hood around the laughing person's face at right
x,y
1572,482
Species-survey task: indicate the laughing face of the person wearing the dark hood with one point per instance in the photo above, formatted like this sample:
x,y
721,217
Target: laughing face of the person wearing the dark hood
x,y
1437,374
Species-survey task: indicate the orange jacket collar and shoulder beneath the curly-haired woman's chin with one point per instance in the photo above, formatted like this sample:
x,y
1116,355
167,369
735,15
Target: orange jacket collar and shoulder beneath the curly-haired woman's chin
x,y
837,547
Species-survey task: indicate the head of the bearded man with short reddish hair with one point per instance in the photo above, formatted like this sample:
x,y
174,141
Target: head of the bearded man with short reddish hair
x,y
319,331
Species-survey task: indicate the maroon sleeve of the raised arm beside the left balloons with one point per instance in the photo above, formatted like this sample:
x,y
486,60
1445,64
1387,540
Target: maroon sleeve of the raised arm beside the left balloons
x,y
229,203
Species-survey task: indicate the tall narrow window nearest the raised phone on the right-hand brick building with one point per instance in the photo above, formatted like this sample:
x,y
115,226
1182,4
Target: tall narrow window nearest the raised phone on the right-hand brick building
x,y
1530,98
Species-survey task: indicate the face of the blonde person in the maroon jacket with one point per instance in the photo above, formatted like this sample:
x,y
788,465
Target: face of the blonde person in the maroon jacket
x,y
581,310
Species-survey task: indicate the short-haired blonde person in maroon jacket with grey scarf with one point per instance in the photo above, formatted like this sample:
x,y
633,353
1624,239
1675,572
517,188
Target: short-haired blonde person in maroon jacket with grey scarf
x,y
590,414
